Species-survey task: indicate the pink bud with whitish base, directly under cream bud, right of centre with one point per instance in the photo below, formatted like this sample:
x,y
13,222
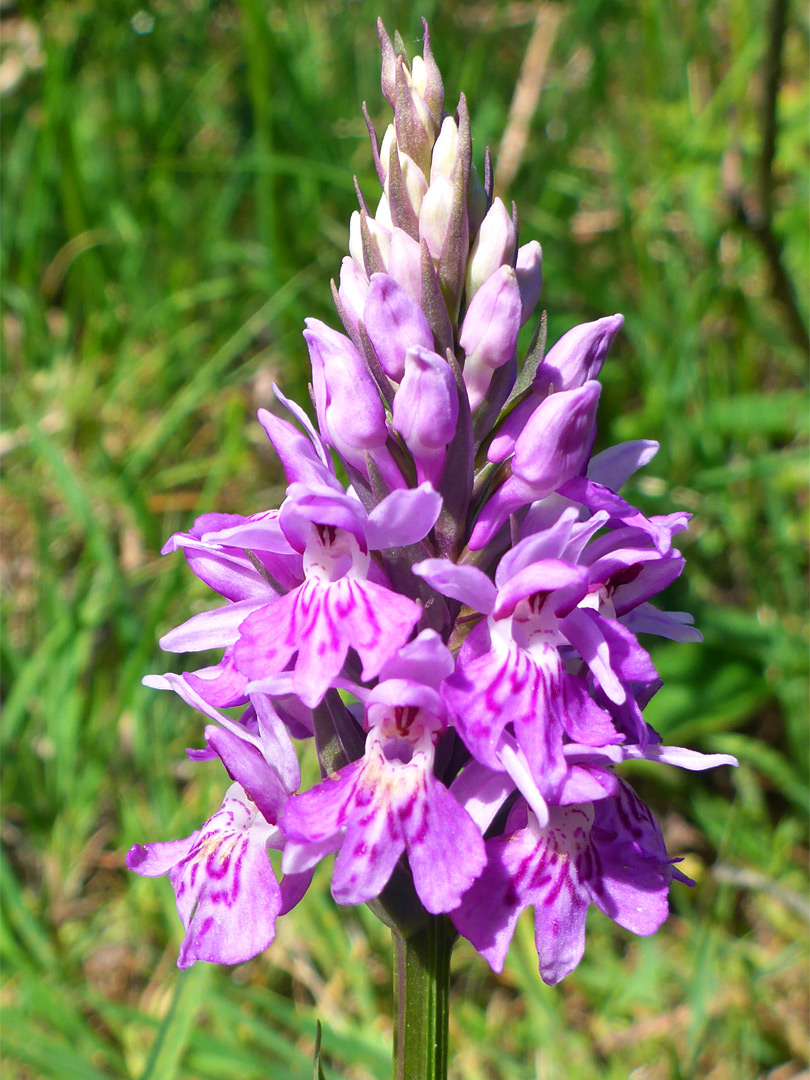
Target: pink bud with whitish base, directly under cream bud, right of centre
x,y
490,332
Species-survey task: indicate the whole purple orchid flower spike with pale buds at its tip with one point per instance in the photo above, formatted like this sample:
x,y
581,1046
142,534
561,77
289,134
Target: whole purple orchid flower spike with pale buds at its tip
x,y
456,627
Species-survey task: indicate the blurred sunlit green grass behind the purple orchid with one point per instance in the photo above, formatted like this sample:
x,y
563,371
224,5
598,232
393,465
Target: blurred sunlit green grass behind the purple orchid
x,y
178,183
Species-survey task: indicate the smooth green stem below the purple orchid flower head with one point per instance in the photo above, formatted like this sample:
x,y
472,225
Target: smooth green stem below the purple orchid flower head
x,y
422,1002
